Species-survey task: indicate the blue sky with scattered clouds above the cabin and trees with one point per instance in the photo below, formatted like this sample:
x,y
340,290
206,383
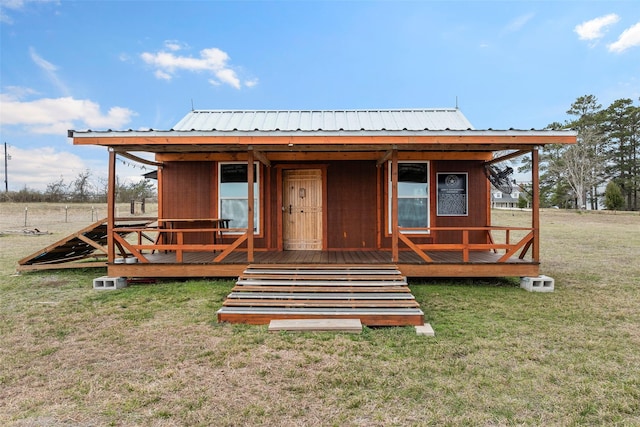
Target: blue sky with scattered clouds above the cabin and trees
x,y
144,64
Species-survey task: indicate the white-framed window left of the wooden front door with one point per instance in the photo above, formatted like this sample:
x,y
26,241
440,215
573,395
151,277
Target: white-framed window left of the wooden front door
x,y
232,195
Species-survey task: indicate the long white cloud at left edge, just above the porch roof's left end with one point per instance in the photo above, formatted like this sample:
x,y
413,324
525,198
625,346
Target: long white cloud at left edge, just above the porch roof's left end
x,y
57,115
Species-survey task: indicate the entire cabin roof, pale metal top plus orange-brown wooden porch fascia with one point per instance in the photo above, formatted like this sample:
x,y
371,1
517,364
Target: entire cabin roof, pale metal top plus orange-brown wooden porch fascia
x,y
334,130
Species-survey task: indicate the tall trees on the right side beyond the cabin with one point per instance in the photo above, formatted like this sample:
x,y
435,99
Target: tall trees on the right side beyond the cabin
x,y
603,167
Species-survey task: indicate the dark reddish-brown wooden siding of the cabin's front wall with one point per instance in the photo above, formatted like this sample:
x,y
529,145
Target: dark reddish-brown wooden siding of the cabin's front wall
x,y
355,192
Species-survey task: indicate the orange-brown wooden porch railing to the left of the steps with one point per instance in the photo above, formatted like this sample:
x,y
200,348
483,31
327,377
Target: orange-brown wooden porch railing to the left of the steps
x,y
134,241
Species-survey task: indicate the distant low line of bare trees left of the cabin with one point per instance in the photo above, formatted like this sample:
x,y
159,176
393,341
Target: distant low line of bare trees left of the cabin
x,y
83,189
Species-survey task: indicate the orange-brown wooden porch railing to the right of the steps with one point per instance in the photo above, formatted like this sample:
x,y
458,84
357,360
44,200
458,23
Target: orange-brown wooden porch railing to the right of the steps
x,y
504,246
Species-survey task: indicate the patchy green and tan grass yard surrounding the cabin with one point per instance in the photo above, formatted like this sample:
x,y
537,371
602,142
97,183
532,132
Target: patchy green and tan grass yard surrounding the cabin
x,y
154,355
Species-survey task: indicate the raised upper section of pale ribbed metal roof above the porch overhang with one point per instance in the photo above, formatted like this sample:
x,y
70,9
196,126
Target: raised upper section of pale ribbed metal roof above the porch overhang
x,y
323,121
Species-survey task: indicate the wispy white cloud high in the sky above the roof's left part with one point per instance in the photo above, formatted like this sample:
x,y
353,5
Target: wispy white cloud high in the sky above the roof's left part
x,y
212,60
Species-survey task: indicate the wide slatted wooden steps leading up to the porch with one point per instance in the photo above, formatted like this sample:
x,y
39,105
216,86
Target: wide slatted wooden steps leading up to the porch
x,y
378,295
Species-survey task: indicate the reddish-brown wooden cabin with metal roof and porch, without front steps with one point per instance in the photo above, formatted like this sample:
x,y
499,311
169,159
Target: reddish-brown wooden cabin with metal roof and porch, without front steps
x,y
406,187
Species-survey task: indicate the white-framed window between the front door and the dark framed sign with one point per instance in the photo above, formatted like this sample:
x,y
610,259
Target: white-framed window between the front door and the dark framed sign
x,y
413,195
